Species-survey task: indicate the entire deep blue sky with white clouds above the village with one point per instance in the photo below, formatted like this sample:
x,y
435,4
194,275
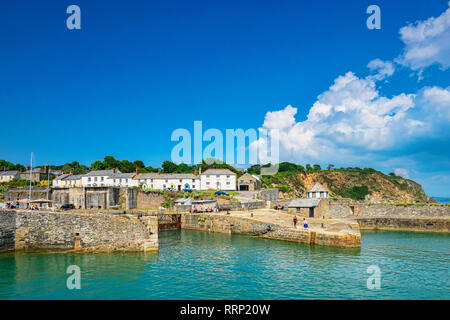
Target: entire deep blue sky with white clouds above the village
x,y
138,70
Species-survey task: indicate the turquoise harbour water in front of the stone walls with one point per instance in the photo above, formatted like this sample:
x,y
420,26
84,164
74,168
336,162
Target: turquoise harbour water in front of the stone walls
x,y
198,265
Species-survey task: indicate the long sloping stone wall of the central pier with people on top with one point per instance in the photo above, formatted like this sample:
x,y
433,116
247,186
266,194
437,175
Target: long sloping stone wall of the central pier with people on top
x,y
248,226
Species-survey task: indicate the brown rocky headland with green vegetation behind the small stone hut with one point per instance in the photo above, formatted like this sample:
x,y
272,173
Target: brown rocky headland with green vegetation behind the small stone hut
x,y
380,186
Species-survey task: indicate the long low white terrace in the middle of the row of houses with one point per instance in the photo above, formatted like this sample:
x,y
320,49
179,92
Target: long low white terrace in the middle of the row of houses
x,y
161,181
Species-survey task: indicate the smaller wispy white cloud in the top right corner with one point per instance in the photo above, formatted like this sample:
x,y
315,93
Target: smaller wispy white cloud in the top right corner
x,y
426,43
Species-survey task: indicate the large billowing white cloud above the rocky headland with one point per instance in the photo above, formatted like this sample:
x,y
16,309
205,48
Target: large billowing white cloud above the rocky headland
x,y
351,121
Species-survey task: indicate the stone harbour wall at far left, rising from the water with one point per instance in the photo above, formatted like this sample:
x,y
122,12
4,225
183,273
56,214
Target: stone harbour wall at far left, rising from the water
x,y
82,232
